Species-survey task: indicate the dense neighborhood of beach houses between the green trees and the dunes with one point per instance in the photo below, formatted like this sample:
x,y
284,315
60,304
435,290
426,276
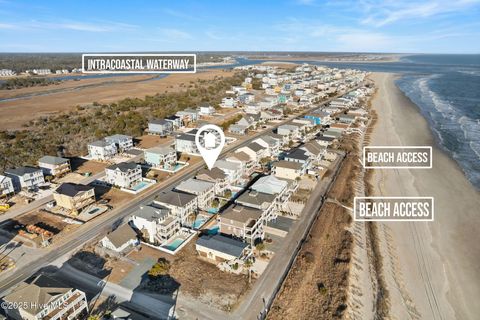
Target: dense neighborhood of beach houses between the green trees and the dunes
x,y
282,127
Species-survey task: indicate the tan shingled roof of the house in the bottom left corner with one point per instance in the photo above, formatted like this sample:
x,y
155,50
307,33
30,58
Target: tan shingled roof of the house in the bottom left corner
x,y
40,292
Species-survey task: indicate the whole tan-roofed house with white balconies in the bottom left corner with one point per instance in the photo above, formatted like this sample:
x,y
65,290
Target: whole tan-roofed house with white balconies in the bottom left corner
x,y
46,298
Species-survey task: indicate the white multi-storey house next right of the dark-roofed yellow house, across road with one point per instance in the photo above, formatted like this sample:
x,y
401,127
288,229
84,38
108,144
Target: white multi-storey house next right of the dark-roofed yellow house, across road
x,y
123,175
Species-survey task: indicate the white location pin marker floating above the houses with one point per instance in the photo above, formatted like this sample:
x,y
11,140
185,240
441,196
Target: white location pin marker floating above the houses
x,y
210,141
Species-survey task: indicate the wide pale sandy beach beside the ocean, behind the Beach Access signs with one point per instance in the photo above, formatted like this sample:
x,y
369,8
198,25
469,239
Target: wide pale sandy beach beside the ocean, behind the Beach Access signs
x,y
431,268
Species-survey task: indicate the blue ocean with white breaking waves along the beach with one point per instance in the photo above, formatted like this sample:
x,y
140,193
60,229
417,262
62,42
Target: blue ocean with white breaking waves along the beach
x,y
446,89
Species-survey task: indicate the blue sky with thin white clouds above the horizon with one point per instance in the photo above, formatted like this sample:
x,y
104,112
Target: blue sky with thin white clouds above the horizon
x,y
411,26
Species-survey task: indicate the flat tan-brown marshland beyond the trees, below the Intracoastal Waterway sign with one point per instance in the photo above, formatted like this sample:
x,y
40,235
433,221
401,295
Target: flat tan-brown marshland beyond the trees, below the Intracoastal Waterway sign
x,y
84,92
